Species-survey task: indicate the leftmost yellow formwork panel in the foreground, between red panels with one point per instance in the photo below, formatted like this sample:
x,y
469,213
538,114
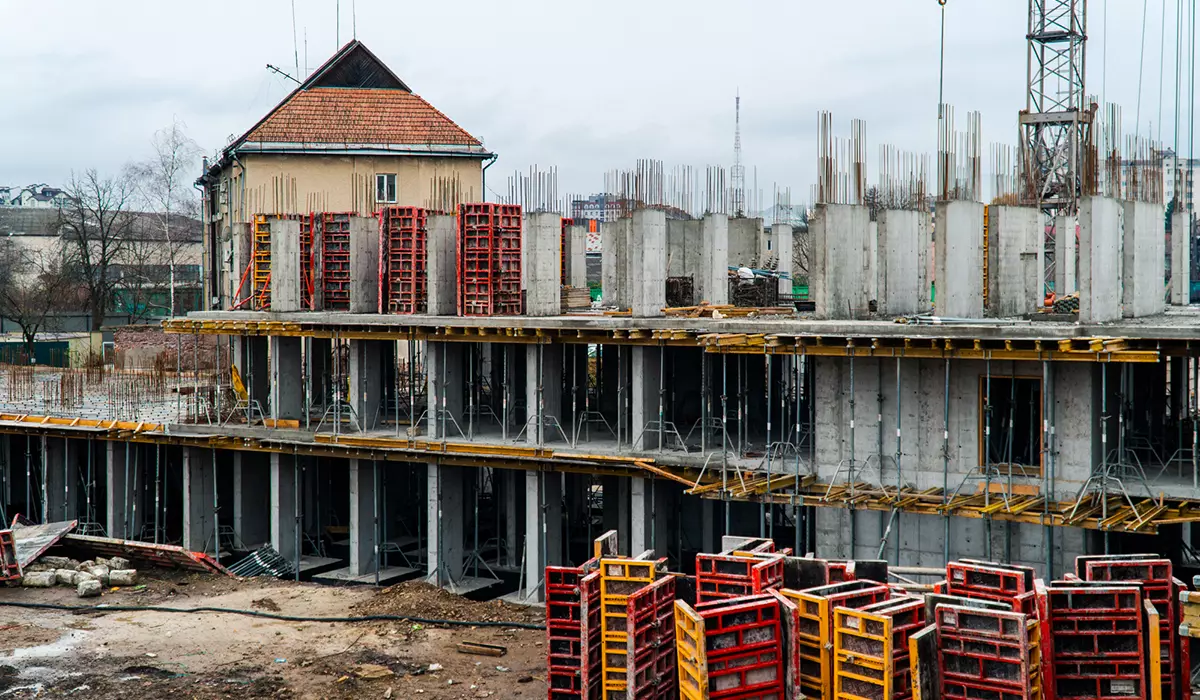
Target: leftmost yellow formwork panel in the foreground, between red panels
x,y
620,579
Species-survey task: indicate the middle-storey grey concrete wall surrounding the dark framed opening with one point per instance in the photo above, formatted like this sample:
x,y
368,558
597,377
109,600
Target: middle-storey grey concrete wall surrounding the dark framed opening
x,y
922,411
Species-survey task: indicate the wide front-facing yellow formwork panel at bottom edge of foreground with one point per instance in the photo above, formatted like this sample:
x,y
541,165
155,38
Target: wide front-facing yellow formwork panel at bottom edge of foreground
x,y
863,655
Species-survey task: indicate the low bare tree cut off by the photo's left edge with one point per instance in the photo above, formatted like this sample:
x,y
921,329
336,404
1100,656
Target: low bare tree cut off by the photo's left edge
x,y
34,284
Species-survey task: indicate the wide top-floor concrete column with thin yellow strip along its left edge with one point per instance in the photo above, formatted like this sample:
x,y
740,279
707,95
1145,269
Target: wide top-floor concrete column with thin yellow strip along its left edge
x,y
1017,261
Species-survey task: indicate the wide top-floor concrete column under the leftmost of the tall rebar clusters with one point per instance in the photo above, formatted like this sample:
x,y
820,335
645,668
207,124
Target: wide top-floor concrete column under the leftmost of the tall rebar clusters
x,y
839,266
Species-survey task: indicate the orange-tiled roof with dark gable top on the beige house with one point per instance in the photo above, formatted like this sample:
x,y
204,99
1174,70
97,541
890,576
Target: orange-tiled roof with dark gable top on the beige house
x,y
353,103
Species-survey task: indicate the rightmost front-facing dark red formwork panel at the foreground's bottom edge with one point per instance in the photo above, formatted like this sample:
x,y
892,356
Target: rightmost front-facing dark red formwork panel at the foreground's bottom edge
x,y
1099,647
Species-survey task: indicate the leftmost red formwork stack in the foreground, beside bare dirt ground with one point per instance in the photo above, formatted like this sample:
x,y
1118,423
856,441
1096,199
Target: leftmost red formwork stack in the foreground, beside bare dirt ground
x,y
573,632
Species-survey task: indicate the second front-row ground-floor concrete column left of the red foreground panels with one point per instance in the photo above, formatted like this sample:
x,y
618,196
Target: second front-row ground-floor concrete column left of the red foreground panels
x,y
446,506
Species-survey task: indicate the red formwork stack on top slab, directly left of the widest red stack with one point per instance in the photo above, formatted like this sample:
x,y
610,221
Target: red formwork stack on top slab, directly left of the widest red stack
x,y
403,260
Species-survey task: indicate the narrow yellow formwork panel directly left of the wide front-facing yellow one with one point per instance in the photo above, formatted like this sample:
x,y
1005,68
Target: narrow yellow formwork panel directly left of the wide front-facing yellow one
x,y
815,638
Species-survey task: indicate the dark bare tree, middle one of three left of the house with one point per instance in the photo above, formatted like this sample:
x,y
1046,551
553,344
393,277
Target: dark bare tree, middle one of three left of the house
x,y
97,224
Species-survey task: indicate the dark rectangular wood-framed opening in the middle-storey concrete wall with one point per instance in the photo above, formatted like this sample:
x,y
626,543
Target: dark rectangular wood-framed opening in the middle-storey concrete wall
x,y
1015,417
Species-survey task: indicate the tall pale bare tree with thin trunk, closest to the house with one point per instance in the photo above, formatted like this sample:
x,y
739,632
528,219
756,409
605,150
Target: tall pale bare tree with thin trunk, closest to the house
x,y
165,186
